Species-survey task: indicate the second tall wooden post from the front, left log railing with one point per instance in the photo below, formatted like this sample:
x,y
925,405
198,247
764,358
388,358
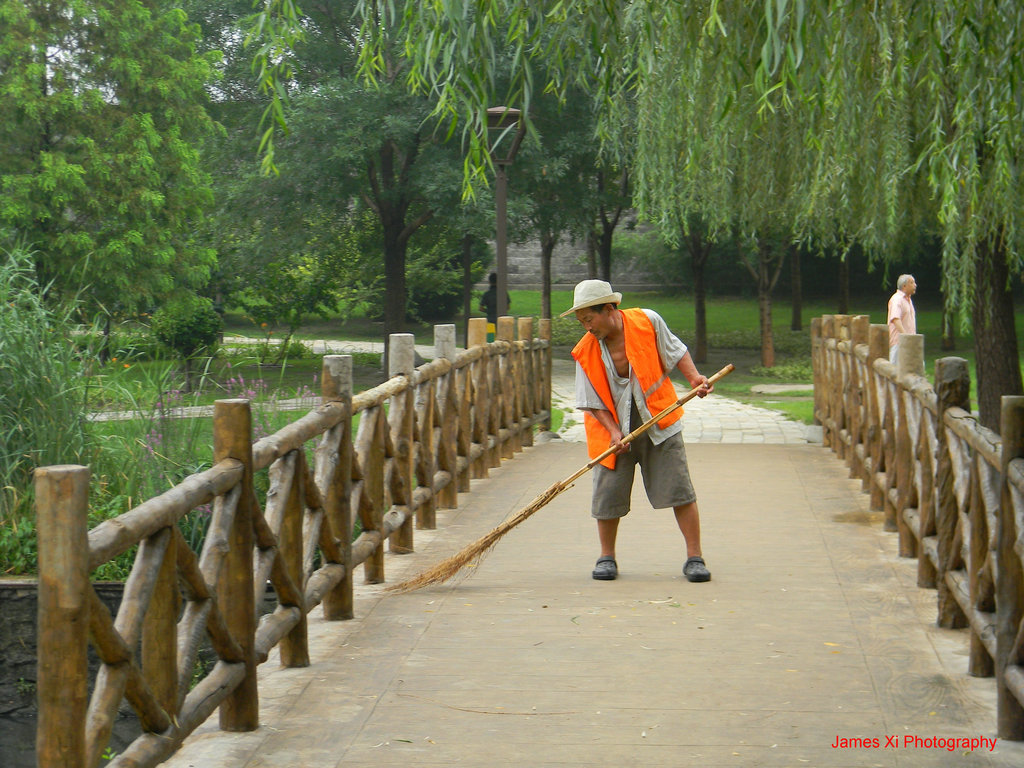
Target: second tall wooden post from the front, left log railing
x,y
233,440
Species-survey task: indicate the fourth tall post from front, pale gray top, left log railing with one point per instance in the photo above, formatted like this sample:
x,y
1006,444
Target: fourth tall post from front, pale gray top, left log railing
x,y
402,415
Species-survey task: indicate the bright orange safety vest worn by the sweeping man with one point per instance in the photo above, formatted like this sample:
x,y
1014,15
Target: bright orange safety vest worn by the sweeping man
x,y
642,352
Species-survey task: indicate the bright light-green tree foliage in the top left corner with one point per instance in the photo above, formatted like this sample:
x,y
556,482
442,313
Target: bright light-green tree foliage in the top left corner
x,y
100,169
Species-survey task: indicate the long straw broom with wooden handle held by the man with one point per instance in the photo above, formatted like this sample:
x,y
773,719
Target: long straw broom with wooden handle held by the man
x,y
449,568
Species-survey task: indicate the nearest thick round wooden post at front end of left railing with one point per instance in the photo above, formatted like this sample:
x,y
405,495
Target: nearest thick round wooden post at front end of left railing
x,y
62,686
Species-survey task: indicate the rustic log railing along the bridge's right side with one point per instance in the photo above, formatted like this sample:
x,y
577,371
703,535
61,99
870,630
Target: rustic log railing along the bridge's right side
x,y
952,490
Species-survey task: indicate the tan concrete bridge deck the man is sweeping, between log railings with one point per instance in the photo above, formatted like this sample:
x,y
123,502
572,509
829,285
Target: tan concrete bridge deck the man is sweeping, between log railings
x,y
813,631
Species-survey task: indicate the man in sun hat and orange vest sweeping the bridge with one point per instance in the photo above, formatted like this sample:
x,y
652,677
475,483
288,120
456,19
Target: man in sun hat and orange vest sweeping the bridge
x,y
623,367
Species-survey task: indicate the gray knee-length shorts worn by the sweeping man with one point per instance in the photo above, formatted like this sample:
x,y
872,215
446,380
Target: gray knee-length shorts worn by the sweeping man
x,y
666,478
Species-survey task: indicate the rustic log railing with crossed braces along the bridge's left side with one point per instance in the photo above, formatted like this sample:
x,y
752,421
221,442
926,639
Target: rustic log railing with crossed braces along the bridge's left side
x,y
419,439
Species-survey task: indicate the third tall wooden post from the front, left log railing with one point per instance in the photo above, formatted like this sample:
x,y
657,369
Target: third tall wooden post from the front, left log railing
x,y
336,387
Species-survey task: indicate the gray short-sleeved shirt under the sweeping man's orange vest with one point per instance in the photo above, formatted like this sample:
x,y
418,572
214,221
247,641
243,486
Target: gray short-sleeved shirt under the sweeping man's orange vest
x,y
626,391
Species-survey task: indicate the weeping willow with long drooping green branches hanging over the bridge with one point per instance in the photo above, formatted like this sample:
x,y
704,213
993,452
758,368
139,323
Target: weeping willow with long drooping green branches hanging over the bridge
x,y
910,114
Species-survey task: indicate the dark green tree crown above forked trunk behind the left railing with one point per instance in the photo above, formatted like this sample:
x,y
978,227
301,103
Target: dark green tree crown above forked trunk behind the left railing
x,y
366,156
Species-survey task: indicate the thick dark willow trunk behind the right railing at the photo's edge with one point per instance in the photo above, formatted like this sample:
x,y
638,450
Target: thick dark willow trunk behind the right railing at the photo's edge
x,y
997,357
